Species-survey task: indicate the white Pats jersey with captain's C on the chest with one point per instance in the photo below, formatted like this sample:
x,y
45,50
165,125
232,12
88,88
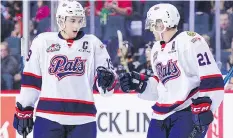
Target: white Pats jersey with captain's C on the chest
x,y
61,73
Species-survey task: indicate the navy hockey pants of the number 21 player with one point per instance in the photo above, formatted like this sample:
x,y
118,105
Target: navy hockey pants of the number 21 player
x,y
177,125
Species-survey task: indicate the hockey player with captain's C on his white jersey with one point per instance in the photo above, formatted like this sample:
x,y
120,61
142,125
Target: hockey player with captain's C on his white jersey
x,y
61,68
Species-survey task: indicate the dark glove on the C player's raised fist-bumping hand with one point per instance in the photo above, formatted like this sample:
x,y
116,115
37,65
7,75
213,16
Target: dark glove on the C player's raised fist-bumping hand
x,y
105,78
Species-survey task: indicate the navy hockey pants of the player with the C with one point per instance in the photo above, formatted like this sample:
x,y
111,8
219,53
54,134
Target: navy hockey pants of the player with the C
x,y
44,128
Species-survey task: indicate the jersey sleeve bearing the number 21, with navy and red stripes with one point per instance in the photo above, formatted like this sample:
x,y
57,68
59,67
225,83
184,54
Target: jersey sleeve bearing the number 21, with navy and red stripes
x,y
201,63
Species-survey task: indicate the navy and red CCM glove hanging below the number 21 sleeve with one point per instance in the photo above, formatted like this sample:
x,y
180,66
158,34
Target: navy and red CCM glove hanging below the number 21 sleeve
x,y
202,115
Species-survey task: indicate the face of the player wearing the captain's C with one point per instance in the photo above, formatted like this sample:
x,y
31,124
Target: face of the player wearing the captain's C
x,y
73,25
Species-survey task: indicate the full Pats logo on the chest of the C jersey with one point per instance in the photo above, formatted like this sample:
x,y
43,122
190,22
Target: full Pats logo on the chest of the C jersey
x,y
61,67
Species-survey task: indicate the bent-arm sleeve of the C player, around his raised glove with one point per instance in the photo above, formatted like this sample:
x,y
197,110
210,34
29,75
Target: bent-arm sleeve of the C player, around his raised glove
x,y
102,58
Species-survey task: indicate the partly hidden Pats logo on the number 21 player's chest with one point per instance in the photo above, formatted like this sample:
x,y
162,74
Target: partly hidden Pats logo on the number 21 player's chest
x,y
167,72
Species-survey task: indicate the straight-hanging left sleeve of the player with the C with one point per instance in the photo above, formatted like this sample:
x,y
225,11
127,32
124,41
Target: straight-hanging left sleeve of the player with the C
x,y
31,78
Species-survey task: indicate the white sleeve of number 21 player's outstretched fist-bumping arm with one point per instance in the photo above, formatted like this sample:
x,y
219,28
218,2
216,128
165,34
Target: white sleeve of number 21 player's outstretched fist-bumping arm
x,y
151,91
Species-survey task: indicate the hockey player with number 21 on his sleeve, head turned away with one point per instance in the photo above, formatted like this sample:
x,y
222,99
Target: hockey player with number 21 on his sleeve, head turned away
x,y
187,86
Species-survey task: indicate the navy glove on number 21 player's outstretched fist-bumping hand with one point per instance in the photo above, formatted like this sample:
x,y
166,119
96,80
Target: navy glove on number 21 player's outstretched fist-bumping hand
x,y
133,81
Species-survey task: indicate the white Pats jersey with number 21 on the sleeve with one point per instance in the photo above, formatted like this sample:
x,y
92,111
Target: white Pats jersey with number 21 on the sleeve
x,y
185,69
